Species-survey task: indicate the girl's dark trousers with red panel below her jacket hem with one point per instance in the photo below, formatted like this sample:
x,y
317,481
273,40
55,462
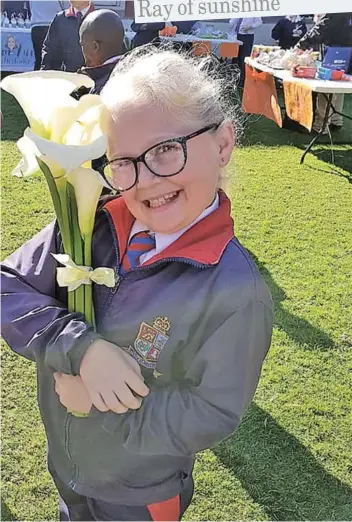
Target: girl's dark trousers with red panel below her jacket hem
x,y
80,508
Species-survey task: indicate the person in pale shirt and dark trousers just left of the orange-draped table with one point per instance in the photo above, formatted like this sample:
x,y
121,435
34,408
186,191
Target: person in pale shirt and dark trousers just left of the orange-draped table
x,y
244,29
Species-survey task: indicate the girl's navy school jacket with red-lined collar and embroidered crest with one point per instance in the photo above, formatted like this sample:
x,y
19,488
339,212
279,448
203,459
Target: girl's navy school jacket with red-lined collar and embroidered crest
x,y
198,319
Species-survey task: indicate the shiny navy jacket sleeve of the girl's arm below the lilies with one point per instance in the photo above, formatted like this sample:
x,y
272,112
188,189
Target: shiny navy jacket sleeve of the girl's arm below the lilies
x,y
34,322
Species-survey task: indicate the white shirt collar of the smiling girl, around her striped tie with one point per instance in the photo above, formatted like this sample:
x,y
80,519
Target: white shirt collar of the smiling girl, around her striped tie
x,y
162,241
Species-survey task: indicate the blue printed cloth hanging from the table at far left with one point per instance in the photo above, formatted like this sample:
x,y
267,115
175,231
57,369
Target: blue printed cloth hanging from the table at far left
x,y
17,54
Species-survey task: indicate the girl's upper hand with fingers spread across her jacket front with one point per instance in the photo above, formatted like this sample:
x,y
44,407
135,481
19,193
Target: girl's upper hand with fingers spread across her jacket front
x,y
112,377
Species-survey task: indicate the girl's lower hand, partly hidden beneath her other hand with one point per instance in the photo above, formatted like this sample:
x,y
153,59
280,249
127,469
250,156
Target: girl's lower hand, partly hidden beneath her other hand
x,y
72,393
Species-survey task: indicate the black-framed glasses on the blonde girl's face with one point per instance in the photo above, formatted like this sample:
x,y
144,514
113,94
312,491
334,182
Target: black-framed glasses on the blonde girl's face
x,y
165,159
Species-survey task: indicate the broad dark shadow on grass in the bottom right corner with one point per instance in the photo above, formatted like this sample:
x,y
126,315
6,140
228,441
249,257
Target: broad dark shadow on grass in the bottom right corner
x,y
280,474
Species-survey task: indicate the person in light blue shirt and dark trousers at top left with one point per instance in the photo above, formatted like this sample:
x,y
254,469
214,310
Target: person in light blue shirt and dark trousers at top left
x,y
42,13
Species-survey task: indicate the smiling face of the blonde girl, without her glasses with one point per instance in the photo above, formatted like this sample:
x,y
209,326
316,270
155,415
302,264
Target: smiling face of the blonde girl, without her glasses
x,y
167,205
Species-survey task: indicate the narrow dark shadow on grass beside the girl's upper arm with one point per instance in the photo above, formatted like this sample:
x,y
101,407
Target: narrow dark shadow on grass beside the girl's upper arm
x,y
299,330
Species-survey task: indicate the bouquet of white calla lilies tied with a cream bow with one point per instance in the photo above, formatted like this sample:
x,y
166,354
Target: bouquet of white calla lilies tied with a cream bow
x,y
64,137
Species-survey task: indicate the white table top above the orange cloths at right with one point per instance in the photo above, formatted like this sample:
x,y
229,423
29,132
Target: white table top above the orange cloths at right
x,y
325,86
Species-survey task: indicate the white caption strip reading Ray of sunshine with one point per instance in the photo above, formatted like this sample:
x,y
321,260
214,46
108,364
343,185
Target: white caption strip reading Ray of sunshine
x,y
159,11
